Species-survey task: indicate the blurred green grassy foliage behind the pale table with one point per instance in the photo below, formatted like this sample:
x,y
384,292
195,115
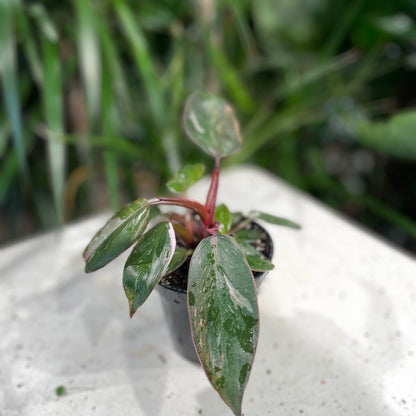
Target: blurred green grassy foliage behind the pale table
x,y
92,94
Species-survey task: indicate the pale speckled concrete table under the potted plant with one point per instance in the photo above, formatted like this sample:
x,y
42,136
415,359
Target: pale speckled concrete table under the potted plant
x,y
338,324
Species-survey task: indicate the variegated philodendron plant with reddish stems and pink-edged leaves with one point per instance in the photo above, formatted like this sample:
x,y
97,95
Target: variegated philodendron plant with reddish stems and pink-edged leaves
x,y
222,301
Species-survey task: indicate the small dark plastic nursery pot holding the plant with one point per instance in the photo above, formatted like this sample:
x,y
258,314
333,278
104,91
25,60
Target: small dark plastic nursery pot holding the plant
x,y
175,305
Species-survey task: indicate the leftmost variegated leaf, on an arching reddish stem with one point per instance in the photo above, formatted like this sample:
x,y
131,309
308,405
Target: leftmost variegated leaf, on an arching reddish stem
x,y
119,233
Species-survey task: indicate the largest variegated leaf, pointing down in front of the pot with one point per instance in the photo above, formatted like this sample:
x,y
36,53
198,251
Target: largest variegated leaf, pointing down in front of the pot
x,y
224,315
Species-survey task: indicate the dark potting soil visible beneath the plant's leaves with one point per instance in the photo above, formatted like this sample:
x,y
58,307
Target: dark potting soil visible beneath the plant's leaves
x,y
179,277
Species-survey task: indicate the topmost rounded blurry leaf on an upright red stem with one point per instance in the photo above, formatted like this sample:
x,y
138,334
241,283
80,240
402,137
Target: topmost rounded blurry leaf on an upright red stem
x,y
210,123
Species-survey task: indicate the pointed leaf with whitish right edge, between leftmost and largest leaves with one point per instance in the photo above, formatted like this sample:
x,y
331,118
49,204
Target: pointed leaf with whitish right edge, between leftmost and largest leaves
x,y
148,263
